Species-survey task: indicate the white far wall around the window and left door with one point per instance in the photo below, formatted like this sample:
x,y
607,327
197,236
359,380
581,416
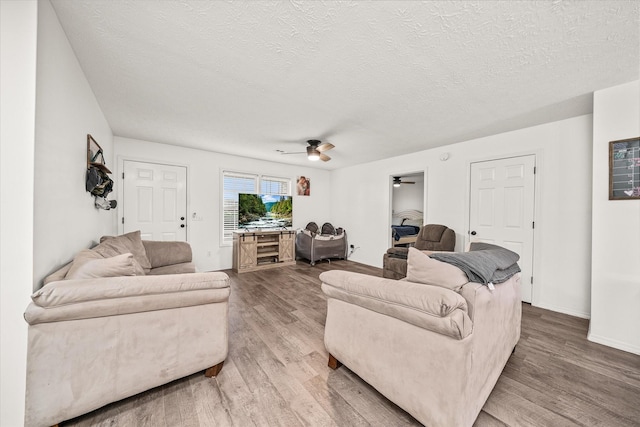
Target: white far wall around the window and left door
x,y
204,192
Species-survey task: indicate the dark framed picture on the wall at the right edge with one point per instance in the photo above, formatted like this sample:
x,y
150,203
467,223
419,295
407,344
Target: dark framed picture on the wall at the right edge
x,y
624,169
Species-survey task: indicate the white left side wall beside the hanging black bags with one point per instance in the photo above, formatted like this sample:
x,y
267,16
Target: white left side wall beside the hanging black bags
x,y
65,219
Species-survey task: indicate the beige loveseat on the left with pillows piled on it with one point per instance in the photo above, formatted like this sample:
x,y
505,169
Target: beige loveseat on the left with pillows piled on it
x,y
94,340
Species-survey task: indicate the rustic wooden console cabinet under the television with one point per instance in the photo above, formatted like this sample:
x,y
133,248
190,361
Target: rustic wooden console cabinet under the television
x,y
256,250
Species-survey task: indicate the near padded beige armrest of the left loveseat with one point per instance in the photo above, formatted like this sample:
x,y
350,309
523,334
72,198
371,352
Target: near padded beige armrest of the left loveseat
x,y
89,298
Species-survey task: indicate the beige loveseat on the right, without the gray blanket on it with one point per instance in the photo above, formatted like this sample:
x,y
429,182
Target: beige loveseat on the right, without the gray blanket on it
x,y
434,343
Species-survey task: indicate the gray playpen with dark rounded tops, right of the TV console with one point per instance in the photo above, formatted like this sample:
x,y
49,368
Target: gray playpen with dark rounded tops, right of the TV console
x,y
317,244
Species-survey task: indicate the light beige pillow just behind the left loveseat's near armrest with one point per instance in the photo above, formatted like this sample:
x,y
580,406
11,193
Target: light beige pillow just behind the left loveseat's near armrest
x,y
90,264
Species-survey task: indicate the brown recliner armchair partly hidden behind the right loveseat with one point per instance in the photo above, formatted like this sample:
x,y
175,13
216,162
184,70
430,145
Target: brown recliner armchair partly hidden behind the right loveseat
x,y
432,237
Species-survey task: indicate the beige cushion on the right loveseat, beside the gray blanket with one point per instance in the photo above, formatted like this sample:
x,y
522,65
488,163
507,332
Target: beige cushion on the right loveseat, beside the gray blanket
x,y
423,269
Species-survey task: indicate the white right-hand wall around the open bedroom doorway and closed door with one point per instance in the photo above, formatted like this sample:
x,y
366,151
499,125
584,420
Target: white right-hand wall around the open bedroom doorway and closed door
x,y
562,264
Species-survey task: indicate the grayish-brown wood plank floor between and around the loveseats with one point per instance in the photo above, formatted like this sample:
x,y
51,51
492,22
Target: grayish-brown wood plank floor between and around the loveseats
x,y
276,373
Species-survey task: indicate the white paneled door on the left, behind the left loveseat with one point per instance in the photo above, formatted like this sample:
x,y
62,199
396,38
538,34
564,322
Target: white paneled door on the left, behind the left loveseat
x,y
155,200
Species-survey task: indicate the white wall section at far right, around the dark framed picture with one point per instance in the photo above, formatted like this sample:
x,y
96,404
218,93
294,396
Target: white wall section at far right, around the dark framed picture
x,y
615,274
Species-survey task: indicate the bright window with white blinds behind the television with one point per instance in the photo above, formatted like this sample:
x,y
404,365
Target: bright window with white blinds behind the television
x,y
234,183
